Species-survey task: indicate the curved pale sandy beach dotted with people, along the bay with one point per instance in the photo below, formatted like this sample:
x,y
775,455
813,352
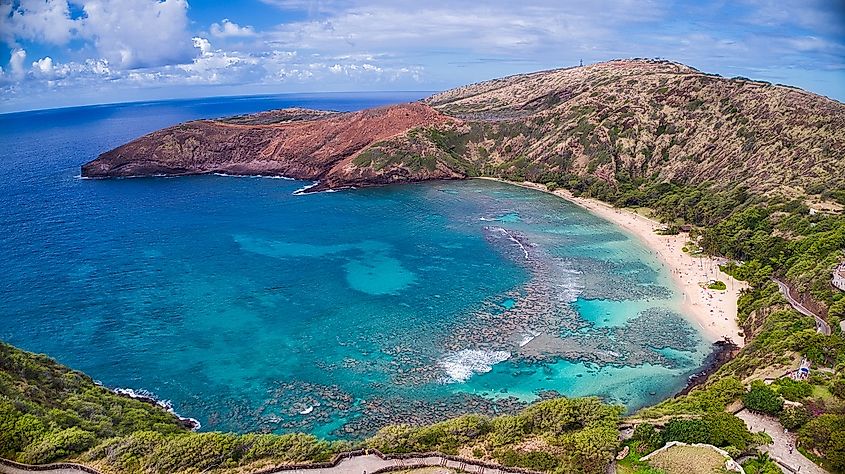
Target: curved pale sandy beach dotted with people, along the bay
x,y
712,311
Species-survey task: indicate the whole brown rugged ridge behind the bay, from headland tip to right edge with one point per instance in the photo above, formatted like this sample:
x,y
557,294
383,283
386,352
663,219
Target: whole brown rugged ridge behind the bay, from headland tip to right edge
x,y
617,120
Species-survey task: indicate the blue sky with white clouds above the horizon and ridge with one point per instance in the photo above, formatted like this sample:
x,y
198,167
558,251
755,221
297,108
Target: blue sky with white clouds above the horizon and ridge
x,y
58,53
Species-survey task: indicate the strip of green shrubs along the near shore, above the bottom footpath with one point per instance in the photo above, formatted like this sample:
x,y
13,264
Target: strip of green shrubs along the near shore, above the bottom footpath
x,y
49,412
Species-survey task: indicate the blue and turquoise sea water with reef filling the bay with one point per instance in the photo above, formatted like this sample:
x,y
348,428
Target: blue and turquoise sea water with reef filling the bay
x,y
251,308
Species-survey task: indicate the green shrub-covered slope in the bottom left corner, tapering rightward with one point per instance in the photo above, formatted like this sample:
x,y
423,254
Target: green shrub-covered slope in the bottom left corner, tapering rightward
x,y
49,412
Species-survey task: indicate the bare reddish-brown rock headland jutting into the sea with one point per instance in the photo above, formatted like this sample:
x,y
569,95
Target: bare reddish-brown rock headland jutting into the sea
x,y
296,143
